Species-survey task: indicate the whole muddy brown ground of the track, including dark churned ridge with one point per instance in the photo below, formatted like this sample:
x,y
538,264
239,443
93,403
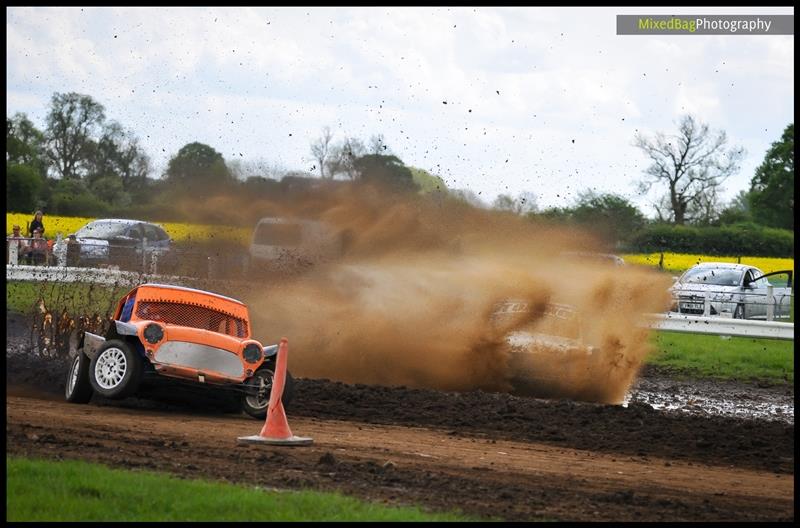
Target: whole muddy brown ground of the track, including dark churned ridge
x,y
488,454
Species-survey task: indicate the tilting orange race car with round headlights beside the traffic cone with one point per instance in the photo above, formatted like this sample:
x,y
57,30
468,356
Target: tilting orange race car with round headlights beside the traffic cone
x,y
177,333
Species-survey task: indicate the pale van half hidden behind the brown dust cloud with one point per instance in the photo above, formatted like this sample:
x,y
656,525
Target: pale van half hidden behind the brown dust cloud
x,y
291,243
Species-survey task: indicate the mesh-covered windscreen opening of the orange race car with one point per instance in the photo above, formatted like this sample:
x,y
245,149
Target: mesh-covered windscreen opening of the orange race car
x,y
192,316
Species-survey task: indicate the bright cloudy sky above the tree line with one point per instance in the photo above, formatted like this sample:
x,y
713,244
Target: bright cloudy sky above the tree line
x,y
495,100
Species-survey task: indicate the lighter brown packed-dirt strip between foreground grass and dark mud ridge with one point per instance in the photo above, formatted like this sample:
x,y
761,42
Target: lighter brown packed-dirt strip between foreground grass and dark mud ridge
x,y
440,468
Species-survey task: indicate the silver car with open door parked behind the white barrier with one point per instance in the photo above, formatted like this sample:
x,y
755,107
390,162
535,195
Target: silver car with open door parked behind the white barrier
x,y
734,290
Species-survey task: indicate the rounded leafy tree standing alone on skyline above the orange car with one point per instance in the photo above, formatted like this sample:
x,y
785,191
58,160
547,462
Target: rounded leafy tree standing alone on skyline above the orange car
x,y
198,168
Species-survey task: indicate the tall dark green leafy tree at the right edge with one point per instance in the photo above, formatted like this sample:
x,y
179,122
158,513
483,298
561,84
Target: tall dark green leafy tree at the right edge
x,y
772,186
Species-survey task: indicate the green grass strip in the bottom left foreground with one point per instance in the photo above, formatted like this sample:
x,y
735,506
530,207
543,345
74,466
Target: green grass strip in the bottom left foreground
x,y
39,490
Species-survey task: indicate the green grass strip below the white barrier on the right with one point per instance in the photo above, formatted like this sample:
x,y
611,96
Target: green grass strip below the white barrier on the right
x,y
735,358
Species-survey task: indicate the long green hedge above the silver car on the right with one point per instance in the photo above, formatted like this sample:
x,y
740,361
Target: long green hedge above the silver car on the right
x,y
733,240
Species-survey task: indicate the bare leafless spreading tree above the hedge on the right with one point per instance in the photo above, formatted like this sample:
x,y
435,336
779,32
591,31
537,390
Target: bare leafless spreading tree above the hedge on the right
x,y
690,164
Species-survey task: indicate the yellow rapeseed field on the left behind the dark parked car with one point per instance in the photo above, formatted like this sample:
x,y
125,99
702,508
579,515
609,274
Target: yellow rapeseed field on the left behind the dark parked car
x,y
177,231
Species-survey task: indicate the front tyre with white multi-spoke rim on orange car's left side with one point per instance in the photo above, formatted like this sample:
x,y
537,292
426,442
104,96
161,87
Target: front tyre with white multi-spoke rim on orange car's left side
x,y
116,370
